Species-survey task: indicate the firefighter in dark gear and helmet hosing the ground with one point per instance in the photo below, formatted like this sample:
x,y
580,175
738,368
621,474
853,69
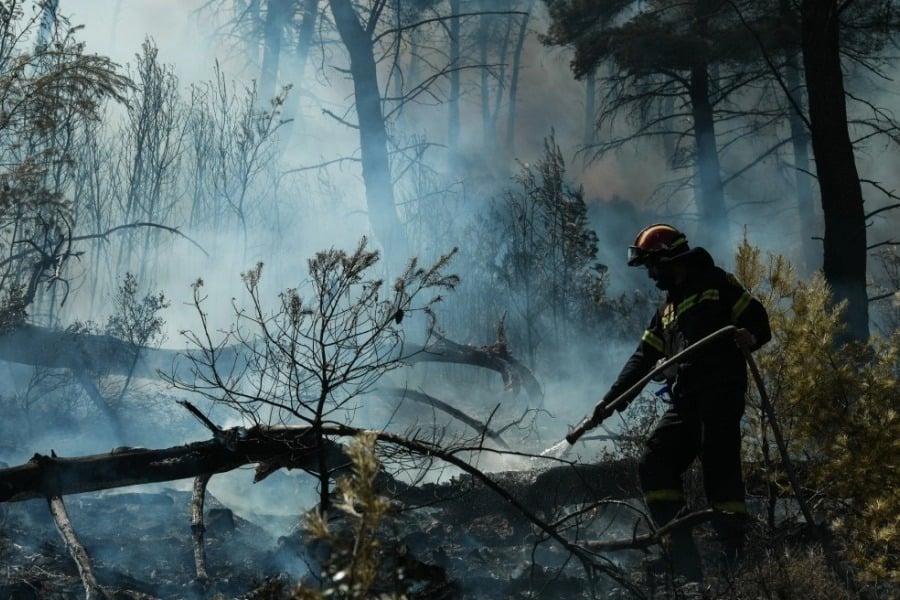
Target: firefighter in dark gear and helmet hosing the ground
x,y
706,391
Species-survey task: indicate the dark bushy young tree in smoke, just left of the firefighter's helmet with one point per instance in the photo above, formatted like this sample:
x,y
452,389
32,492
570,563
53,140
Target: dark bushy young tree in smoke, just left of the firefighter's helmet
x,y
542,254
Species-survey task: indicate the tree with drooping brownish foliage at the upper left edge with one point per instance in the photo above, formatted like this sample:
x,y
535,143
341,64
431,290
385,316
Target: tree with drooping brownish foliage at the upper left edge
x,y
47,92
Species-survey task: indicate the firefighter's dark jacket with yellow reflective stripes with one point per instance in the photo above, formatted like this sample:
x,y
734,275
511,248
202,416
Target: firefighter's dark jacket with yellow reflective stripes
x,y
709,300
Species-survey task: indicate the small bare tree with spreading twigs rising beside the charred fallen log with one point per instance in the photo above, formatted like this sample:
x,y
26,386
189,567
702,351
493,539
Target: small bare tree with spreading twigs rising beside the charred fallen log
x,y
312,358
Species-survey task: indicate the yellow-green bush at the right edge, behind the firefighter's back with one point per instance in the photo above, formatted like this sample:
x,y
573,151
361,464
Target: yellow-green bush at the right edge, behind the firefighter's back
x,y
838,407
